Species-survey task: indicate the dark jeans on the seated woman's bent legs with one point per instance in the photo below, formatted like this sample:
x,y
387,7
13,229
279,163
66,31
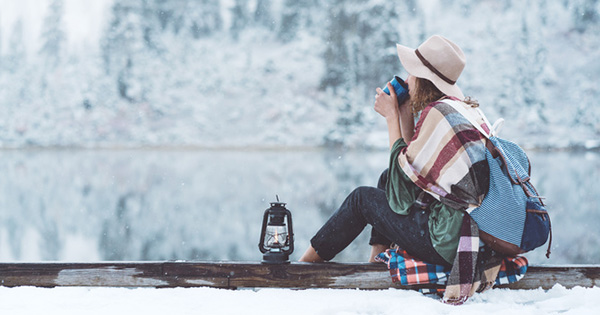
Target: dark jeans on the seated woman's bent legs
x,y
369,205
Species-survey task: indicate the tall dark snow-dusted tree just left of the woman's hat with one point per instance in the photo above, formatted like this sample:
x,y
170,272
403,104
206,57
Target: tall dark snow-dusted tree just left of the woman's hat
x,y
360,56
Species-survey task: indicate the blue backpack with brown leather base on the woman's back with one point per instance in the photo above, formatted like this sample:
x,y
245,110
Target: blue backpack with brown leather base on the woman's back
x,y
512,218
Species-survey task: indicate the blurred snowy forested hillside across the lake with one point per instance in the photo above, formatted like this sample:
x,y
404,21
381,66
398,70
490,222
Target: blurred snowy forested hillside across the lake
x,y
282,73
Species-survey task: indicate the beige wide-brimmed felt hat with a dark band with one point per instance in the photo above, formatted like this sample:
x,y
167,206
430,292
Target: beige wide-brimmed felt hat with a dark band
x,y
438,60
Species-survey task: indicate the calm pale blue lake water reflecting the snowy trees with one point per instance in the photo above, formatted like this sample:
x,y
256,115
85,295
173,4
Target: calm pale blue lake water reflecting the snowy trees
x,y
101,205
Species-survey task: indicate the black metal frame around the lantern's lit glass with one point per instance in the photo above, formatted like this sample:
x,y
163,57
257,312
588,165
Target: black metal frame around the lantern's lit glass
x,y
277,216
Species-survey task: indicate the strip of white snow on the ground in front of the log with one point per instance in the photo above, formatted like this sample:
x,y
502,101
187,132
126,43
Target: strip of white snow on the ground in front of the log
x,y
28,300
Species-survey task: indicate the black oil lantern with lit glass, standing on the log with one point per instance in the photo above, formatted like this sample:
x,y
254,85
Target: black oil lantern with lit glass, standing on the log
x,y
277,235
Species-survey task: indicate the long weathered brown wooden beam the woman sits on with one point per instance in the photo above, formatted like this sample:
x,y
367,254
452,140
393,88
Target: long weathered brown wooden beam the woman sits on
x,y
232,275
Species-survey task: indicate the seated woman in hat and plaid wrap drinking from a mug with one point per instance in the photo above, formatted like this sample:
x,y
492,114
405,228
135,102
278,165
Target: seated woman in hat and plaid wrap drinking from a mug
x,y
437,168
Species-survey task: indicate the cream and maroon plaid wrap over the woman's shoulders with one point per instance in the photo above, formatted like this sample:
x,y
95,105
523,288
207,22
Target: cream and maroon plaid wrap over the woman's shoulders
x,y
446,156
